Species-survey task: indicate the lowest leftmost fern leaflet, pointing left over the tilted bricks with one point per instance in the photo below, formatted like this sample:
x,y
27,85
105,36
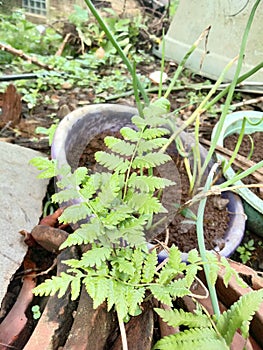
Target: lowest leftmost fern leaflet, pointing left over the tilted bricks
x,y
56,284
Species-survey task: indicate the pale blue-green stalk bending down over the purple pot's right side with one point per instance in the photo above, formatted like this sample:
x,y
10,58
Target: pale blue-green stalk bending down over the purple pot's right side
x,y
201,242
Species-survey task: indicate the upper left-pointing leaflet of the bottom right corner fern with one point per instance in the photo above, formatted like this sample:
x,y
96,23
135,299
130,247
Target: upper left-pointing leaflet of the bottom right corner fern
x,y
177,318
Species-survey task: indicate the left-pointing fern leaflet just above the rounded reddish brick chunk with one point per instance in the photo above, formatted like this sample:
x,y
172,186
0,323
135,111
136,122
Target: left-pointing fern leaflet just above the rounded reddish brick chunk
x,y
75,213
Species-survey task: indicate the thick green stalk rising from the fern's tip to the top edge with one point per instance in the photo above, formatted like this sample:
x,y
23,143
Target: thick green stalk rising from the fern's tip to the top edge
x,y
115,44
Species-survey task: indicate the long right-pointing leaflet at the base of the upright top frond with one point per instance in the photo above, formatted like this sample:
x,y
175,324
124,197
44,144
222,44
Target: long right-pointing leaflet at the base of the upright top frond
x,y
148,183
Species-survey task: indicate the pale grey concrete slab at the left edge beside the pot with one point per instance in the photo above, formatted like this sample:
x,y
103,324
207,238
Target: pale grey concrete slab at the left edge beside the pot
x,y
21,195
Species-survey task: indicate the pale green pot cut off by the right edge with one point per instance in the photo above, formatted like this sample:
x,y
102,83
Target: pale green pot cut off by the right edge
x,y
253,205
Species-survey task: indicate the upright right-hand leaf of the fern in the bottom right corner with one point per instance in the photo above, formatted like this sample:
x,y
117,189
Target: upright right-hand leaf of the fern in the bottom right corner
x,y
238,314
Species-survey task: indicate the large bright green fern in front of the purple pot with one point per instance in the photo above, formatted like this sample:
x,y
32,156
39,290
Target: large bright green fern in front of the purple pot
x,y
117,205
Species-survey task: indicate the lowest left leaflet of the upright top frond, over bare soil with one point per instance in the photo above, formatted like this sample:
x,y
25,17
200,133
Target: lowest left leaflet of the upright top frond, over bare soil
x,y
112,161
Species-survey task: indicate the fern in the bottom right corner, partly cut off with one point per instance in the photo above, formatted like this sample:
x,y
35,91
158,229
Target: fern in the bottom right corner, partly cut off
x,y
205,333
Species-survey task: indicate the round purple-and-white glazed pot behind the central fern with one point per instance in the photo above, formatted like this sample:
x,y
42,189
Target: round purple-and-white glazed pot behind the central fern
x,y
79,127
